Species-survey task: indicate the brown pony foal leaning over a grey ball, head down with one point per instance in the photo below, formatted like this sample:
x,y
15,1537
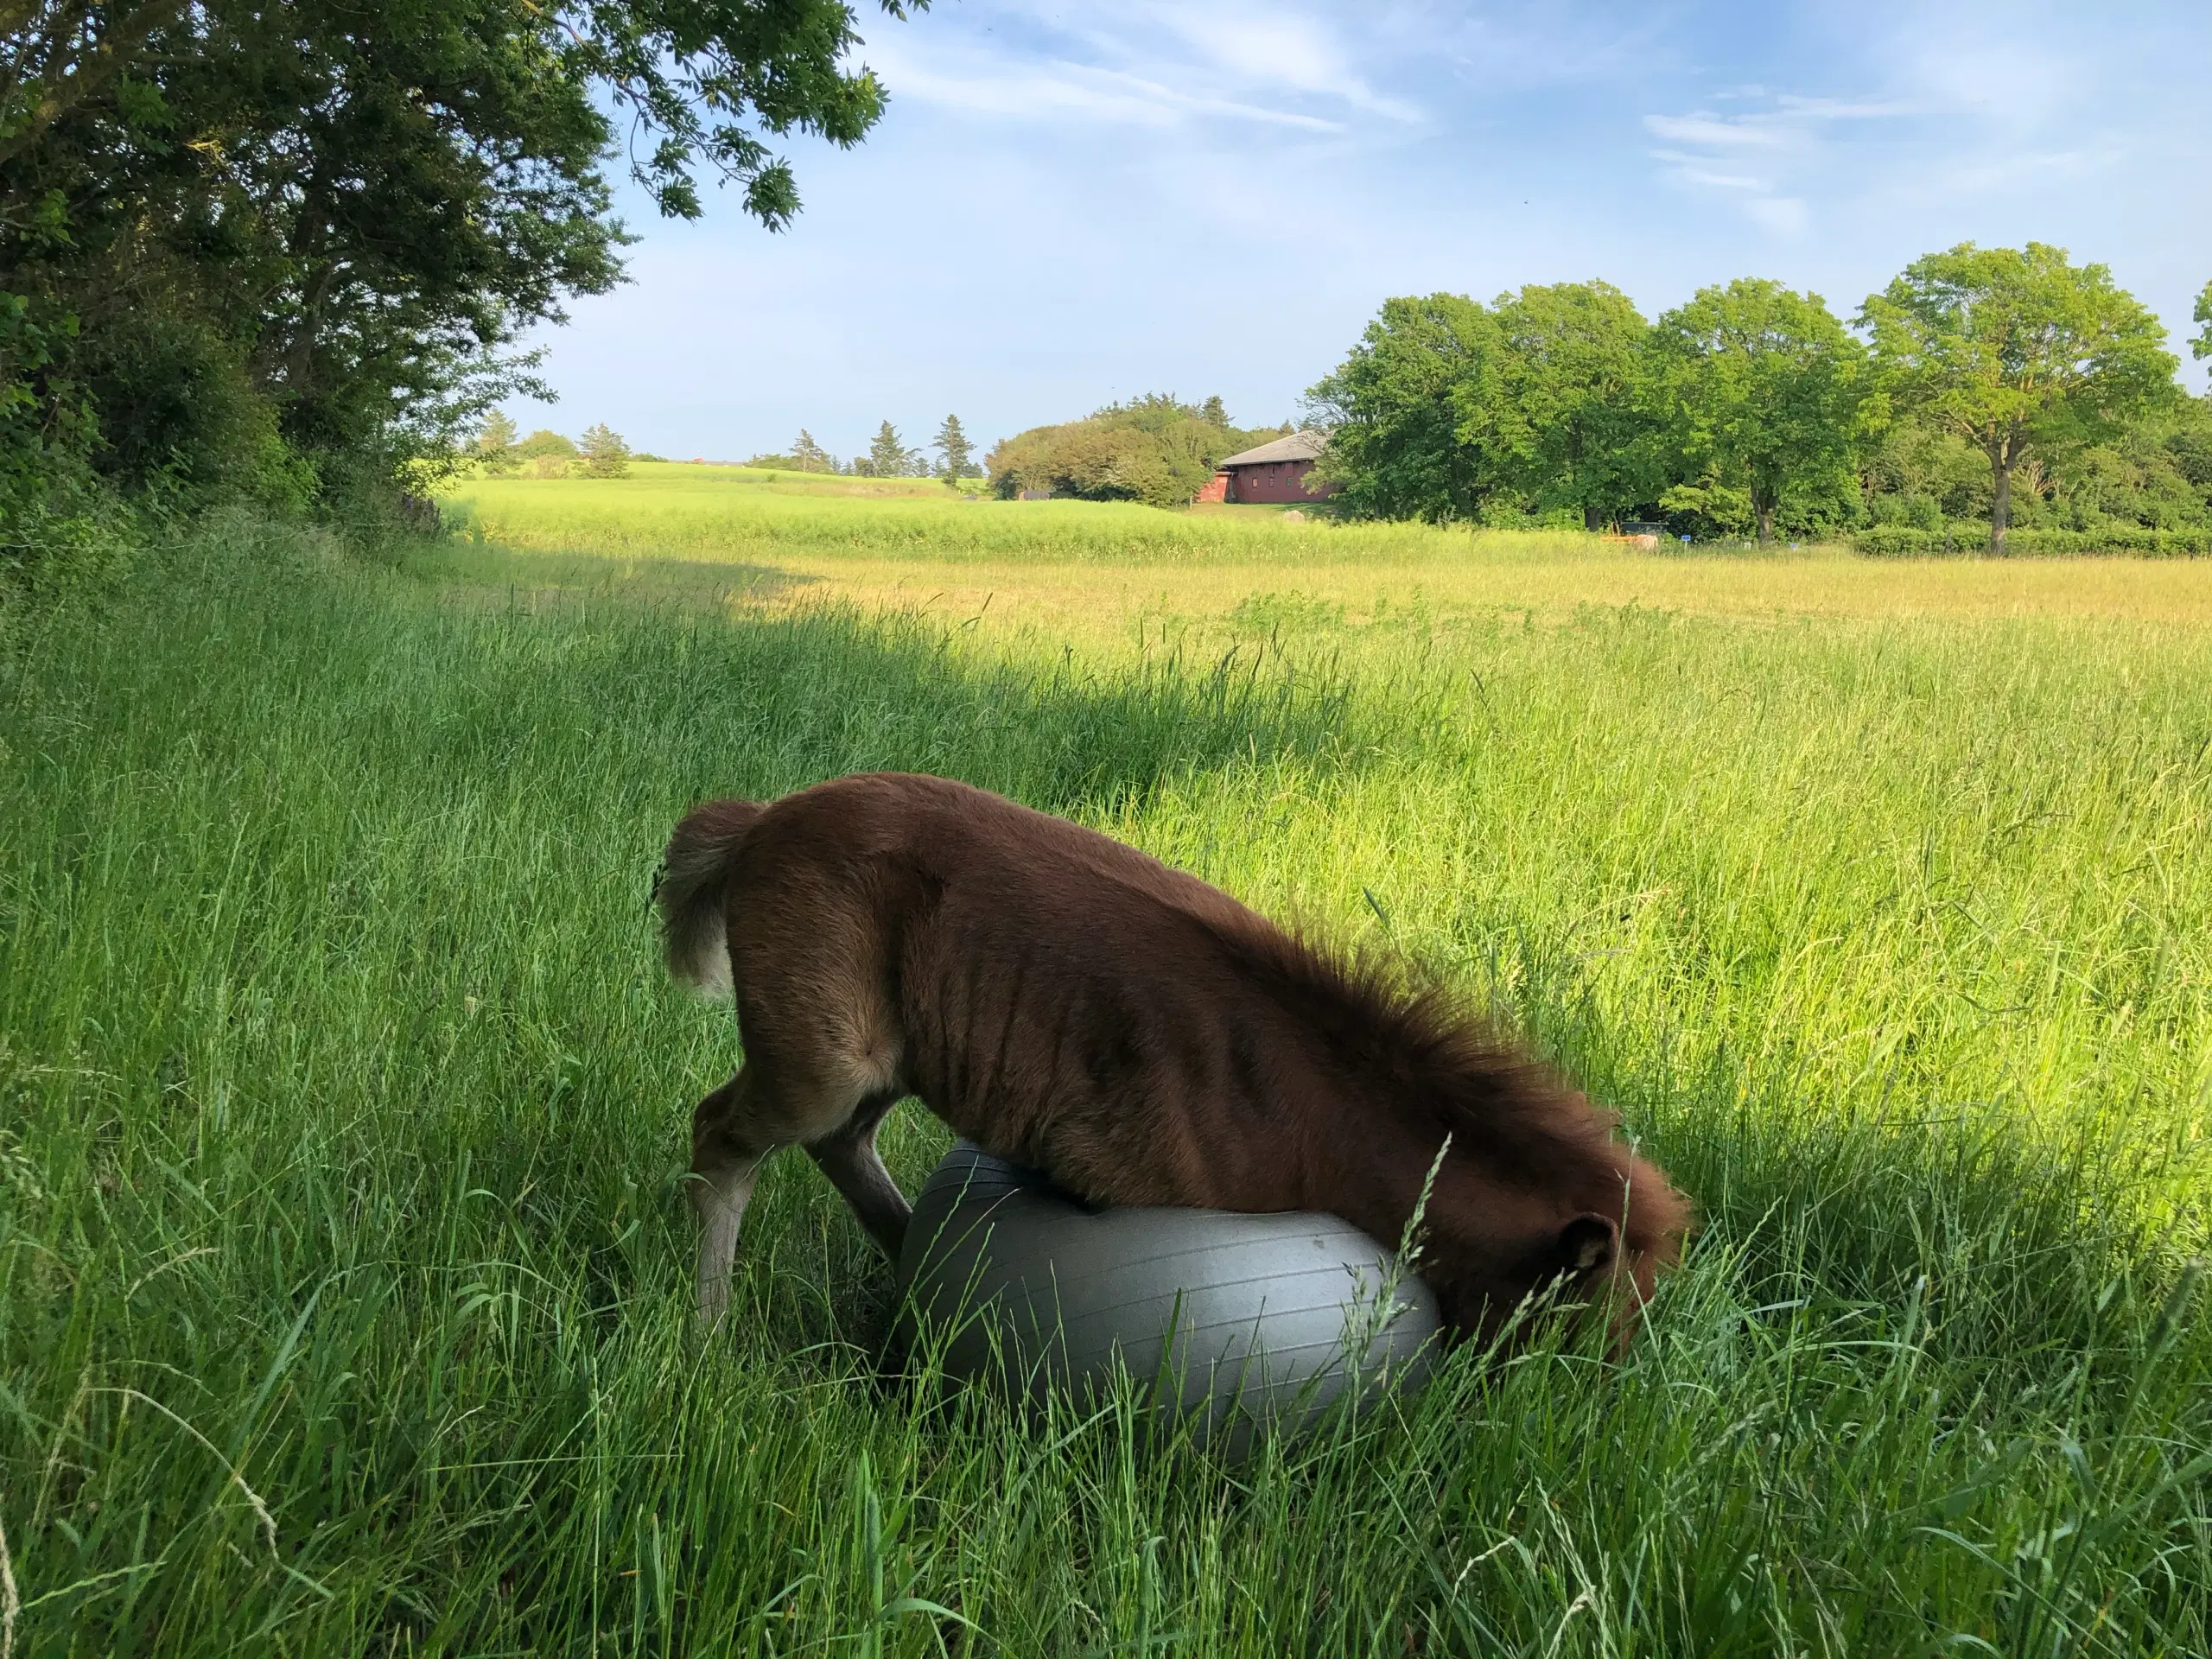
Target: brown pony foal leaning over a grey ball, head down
x,y
1074,1005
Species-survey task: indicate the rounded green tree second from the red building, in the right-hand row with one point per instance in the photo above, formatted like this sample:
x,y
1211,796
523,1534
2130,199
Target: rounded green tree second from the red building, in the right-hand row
x,y
1552,404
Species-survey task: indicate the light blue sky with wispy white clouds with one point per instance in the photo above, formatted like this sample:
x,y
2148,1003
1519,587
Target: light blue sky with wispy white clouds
x,y
1070,205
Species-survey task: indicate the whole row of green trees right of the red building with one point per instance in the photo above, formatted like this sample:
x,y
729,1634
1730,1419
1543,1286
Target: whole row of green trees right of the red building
x,y
1985,386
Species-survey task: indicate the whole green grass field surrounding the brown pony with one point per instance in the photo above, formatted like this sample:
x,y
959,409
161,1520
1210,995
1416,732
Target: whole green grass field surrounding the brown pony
x,y
342,1100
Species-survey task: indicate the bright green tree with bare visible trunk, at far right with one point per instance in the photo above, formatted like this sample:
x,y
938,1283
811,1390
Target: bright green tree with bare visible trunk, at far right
x,y
2018,353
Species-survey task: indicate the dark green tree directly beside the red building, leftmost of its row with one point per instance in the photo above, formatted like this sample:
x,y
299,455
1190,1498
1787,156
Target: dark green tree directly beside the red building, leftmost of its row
x,y
1392,410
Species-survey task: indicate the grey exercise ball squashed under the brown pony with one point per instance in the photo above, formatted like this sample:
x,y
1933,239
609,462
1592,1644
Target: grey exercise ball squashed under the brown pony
x,y
1231,1319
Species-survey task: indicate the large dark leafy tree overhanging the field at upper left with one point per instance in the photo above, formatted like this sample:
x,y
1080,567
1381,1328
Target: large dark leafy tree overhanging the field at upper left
x,y
322,229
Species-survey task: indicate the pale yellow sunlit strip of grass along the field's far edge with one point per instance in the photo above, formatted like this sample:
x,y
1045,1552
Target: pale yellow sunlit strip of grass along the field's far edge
x,y
1094,570
